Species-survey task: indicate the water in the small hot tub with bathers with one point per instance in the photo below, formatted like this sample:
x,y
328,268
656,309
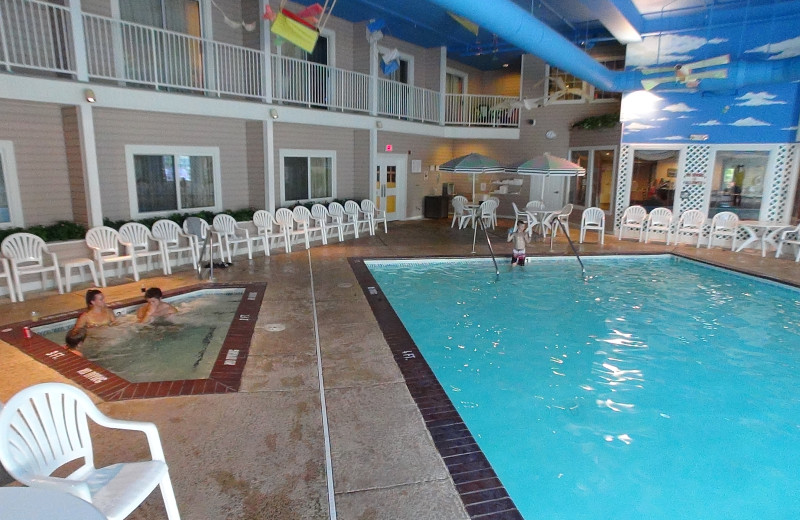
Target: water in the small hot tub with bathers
x,y
182,346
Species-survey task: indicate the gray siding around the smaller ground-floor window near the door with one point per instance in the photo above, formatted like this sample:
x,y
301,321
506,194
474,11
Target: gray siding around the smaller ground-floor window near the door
x,y
349,182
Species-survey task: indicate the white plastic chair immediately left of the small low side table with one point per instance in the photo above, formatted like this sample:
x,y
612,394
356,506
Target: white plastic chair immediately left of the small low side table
x,y
26,255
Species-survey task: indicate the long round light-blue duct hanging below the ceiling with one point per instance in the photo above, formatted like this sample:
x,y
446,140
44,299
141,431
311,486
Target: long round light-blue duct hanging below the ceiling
x,y
517,26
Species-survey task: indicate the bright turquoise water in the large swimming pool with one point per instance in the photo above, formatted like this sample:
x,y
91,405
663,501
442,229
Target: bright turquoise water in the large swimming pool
x,y
659,388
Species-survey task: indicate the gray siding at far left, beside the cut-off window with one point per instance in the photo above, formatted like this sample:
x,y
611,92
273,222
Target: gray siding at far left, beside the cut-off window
x,y
37,133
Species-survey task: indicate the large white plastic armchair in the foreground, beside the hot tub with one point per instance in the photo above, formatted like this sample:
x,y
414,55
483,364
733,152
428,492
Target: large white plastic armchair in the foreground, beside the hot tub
x,y
45,426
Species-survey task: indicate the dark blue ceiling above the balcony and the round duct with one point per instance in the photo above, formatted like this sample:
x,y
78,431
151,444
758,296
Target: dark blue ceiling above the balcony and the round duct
x,y
584,22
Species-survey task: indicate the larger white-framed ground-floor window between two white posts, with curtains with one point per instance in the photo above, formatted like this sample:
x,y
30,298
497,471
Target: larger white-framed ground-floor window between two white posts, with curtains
x,y
164,180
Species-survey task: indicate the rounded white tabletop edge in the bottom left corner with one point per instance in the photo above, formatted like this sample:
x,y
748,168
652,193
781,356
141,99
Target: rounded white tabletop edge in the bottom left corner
x,y
26,503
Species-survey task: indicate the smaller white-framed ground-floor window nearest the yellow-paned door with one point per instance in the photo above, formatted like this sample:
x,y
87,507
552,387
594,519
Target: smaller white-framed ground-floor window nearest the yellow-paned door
x,y
307,175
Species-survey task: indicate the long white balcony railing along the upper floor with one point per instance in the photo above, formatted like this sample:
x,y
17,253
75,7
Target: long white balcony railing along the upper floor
x,y
37,36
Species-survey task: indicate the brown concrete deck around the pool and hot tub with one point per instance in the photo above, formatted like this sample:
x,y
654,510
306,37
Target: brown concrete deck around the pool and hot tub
x,y
260,453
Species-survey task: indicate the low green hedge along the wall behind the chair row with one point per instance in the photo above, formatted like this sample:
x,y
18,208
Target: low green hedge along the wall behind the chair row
x,y
65,230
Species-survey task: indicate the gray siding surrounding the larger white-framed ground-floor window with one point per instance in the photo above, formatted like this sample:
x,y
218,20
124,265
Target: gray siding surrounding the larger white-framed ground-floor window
x,y
117,128
